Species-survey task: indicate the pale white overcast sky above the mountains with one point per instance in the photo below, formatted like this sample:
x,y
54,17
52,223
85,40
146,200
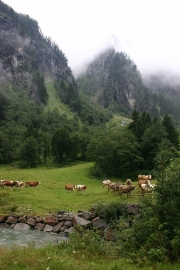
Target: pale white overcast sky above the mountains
x,y
147,30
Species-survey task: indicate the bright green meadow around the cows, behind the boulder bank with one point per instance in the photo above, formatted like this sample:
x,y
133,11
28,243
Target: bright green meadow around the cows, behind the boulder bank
x,y
50,196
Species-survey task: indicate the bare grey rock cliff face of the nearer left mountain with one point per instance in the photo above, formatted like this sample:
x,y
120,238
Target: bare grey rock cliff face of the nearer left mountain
x,y
25,53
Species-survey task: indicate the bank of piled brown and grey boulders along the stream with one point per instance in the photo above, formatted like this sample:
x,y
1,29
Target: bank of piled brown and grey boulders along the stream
x,y
62,223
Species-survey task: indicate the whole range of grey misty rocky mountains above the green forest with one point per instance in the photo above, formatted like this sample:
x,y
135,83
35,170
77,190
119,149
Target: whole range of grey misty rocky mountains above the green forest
x,y
112,80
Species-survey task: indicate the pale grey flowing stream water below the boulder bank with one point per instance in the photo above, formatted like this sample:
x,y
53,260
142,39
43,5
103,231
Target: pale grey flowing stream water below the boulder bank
x,y
10,237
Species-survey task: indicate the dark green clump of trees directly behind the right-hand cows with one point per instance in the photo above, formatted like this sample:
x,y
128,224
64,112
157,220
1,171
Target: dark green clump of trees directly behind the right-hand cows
x,y
124,153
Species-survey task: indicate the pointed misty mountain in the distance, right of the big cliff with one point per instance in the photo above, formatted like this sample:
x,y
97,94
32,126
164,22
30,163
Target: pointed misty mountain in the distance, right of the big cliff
x,y
113,81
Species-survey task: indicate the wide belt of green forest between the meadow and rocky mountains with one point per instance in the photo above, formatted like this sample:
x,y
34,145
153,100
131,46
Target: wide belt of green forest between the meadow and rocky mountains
x,y
115,151
